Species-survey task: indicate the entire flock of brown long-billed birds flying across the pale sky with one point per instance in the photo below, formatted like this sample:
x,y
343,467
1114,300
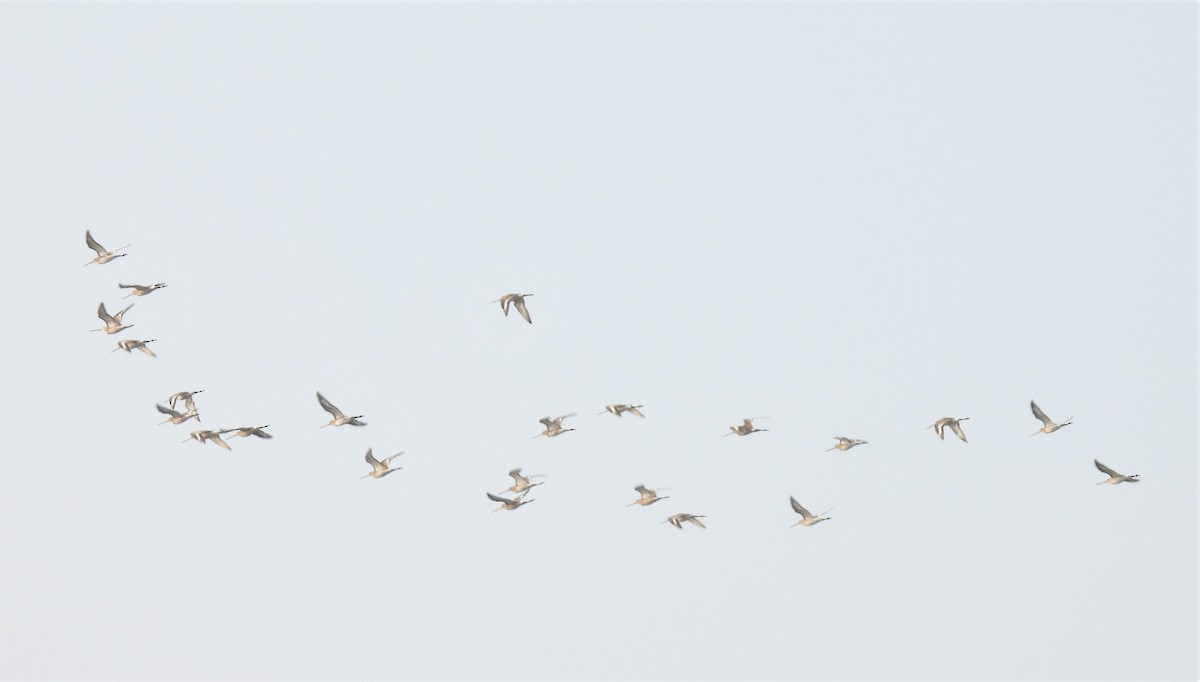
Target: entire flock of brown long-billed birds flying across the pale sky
x,y
523,483
